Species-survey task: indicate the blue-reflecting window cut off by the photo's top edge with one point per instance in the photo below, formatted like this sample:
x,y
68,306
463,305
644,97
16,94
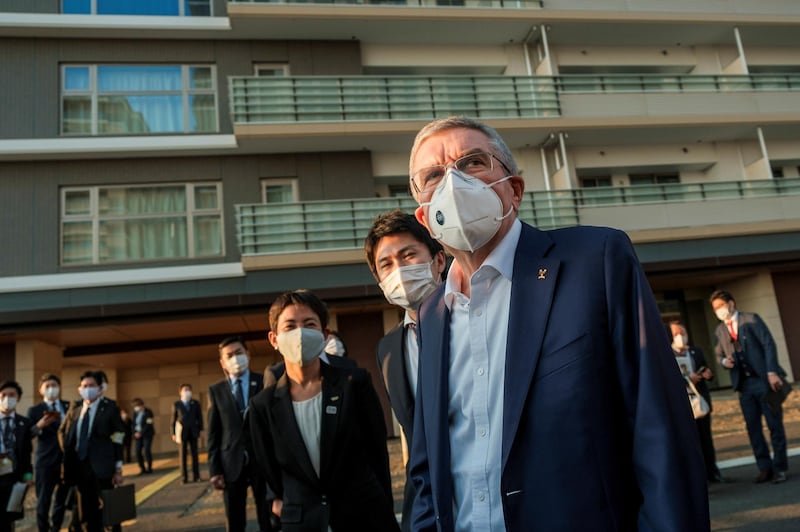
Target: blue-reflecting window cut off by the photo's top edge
x,y
177,8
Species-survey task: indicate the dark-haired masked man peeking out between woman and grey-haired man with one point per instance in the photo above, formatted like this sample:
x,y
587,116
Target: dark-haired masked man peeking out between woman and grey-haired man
x,y
408,265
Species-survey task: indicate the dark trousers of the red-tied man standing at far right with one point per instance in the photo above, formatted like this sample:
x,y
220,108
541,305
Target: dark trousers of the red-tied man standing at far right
x,y
752,399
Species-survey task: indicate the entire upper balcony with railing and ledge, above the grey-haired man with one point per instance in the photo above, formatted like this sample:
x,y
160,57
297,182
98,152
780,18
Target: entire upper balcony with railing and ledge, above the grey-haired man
x,y
309,113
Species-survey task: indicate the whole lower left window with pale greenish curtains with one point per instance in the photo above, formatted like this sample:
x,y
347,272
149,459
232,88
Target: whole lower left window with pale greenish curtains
x,y
113,224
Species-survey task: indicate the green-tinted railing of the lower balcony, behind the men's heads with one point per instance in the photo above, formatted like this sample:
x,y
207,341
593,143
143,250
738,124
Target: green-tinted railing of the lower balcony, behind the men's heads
x,y
264,229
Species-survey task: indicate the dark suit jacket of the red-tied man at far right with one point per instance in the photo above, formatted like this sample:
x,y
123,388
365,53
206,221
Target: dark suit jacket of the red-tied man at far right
x,y
757,344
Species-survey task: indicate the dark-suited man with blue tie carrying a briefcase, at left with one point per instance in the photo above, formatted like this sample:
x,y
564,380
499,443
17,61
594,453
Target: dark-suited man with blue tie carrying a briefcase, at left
x,y
91,439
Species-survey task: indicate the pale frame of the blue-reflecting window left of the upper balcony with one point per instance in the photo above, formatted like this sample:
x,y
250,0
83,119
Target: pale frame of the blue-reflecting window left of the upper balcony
x,y
94,94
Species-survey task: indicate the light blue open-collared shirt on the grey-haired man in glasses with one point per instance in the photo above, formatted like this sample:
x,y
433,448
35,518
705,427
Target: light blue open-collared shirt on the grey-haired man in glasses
x,y
478,332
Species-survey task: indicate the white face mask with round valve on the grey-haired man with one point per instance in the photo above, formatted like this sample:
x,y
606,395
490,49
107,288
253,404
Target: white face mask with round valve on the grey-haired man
x,y
464,212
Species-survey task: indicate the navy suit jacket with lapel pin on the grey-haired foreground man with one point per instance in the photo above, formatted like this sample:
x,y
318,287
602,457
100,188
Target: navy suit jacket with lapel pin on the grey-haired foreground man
x,y
597,433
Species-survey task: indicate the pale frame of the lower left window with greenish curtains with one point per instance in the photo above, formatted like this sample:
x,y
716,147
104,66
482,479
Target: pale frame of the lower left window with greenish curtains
x,y
95,218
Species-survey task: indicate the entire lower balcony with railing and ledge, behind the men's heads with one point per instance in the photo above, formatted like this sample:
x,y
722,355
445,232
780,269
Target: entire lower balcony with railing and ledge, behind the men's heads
x,y
272,236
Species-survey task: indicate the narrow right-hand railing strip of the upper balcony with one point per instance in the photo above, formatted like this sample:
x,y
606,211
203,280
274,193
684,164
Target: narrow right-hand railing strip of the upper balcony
x,y
616,83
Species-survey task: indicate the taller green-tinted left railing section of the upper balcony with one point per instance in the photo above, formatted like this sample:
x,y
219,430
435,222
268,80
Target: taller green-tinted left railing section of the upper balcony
x,y
326,99
